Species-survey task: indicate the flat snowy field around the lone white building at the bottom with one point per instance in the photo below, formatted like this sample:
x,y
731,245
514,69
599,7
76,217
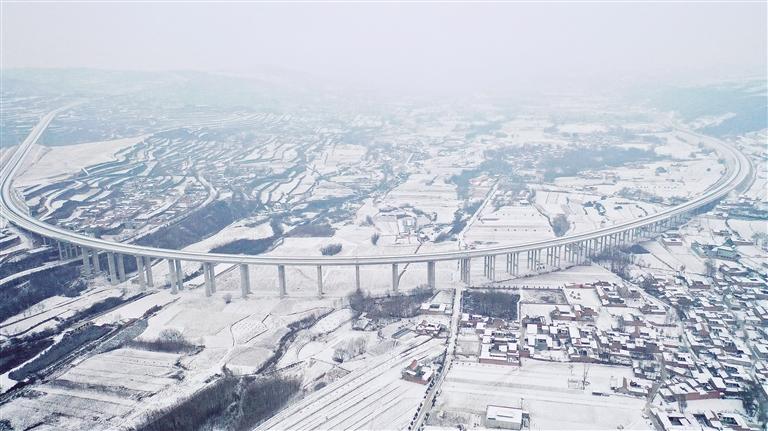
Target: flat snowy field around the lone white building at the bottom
x,y
542,388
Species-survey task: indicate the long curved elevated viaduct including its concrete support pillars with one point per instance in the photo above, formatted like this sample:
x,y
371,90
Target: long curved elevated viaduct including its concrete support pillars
x,y
575,248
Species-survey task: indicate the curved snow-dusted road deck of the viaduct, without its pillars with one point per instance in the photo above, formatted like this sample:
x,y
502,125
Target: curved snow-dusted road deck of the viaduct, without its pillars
x,y
737,169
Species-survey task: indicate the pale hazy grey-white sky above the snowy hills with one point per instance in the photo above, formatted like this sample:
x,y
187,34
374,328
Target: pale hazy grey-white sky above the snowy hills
x,y
488,45
